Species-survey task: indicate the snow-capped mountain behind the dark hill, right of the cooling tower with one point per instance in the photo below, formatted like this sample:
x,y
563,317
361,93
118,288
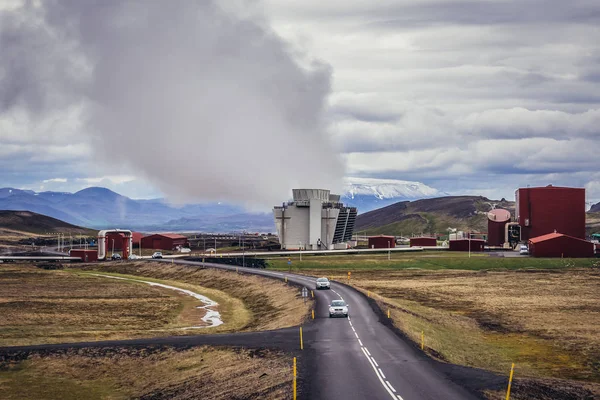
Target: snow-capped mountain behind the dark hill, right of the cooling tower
x,y
369,194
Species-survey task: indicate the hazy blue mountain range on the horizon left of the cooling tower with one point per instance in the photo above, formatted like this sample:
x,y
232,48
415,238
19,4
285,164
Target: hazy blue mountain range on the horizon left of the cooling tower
x,y
102,208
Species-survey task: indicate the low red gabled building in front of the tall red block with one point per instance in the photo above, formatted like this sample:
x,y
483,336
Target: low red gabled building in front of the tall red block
x,y
560,245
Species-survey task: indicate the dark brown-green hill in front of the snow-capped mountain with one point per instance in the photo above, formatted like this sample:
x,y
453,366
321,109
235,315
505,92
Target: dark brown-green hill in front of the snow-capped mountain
x,y
434,215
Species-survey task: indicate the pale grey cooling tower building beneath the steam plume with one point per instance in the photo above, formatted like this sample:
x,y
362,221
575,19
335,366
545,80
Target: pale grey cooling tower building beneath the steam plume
x,y
314,220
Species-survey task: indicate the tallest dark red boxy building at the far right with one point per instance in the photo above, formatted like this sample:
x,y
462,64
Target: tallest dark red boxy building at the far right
x,y
544,210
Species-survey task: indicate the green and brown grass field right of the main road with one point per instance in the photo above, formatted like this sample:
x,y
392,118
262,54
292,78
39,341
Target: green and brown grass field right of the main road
x,y
486,312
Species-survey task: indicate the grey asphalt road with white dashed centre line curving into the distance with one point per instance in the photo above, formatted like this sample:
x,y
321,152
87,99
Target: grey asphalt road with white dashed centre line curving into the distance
x,y
361,358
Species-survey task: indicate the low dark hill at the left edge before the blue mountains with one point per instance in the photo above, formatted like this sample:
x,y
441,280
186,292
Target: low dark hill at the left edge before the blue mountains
x,y
30,222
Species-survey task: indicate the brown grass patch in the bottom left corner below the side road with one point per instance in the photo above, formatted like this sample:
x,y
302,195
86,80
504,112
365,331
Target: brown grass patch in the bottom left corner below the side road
x,y
123,373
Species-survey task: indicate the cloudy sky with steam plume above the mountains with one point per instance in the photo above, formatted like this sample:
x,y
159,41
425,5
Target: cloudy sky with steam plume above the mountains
x,y
192,101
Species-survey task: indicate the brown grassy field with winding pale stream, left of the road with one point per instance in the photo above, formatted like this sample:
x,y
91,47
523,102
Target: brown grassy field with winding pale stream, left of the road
x,y
41,306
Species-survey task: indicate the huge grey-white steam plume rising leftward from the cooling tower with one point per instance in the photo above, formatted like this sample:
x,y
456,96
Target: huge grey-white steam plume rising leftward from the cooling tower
x,y
204,103
